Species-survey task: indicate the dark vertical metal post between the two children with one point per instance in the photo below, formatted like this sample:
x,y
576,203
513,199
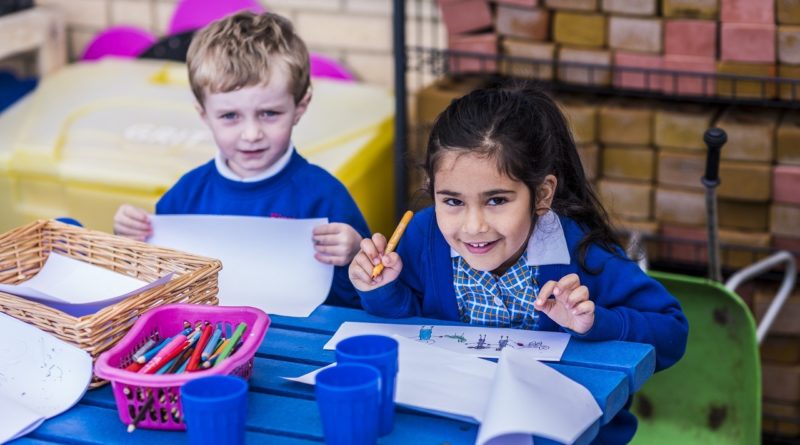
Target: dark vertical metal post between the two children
x,y
401,103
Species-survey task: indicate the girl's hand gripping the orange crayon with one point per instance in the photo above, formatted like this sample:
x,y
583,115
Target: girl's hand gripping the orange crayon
x,y
370,256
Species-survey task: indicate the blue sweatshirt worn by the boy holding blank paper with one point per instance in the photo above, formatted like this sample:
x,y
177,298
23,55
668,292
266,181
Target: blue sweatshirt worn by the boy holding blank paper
x,y
299,190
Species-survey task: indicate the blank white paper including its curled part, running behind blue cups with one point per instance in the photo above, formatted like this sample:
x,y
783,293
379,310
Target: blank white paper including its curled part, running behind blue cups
x,y
512,400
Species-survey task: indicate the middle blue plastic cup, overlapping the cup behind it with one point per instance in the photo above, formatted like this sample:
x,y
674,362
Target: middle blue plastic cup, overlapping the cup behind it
x,y
348,397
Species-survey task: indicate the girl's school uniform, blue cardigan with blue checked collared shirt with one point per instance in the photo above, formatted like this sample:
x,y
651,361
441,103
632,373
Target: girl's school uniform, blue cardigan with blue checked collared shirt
x,y
435,282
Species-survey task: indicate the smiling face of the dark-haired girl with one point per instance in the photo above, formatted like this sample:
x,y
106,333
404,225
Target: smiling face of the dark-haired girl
x,y
484,215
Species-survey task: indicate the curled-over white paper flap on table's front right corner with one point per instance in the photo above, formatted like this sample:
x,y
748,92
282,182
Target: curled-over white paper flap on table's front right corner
x,y
529,398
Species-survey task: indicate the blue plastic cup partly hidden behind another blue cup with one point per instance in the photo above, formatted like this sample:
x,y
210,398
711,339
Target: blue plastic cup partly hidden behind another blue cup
x,y
381,352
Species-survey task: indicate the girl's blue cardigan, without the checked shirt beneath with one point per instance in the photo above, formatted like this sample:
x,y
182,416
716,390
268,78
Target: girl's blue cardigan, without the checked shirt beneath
x,y
629,305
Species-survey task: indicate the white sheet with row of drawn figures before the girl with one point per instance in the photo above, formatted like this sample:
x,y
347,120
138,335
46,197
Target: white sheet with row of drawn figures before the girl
x,y
478,341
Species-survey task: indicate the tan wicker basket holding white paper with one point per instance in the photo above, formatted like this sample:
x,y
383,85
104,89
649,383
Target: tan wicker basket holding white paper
x,y
24,250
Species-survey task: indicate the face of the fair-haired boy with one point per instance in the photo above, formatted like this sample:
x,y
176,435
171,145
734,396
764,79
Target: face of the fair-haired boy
x,y
252,126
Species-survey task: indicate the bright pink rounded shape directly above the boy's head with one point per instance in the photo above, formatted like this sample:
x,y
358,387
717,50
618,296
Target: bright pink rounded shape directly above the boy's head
x,y
195,14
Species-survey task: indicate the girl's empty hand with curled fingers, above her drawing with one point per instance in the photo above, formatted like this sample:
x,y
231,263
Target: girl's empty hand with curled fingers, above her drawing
x,y
571,307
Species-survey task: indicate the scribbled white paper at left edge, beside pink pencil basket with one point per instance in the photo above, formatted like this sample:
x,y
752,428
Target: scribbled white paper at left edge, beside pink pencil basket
x,y
40,377
